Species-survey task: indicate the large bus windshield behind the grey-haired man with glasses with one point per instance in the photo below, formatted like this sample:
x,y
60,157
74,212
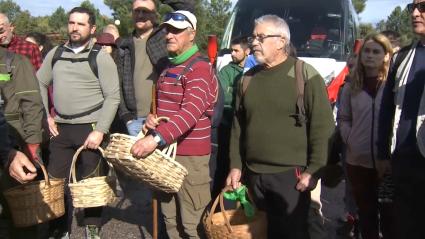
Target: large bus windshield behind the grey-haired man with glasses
x,y
316,26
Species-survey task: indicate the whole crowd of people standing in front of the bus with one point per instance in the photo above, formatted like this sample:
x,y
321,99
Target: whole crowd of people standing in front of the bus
x,y
274,136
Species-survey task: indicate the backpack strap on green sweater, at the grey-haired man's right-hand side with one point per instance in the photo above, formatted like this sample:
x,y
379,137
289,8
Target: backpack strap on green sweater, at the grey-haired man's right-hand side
x,y
300,115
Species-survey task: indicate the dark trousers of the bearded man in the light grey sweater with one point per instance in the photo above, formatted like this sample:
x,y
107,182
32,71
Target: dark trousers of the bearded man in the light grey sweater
x,y
62,149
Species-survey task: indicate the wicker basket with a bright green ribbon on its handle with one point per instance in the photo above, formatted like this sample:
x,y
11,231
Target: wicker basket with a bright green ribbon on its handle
x,y
233,223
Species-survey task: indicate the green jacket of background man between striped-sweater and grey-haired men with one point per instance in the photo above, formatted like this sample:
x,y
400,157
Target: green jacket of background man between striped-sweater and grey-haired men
x,y
229,77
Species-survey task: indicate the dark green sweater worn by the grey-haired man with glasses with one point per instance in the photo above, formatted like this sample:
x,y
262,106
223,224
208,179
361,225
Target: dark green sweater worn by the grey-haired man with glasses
x,y
266,132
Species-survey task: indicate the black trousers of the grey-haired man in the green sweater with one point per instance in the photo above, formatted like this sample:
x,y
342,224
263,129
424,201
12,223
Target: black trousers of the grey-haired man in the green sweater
x,y
287,209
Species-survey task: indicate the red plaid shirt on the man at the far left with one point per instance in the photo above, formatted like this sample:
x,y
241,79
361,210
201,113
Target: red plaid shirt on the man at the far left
x,y
20,46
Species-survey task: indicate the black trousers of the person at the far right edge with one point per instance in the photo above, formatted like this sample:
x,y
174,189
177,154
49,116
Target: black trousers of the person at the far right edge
x,y
409,196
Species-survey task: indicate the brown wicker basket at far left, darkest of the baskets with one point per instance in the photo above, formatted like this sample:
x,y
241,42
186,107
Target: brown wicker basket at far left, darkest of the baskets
x,y
36,202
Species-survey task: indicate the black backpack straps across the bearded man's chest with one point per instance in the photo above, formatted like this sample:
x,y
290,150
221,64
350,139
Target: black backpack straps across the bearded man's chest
x,y
91,57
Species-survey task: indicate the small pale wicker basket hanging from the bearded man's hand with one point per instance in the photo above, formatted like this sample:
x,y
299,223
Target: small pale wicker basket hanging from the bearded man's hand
x,y
91,192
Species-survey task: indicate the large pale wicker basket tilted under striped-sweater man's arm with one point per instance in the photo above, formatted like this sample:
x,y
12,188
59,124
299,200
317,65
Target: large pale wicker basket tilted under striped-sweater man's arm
x,y
159,169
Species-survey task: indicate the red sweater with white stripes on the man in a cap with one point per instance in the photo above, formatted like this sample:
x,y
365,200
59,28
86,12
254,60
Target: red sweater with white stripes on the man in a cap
x,y
189,103
